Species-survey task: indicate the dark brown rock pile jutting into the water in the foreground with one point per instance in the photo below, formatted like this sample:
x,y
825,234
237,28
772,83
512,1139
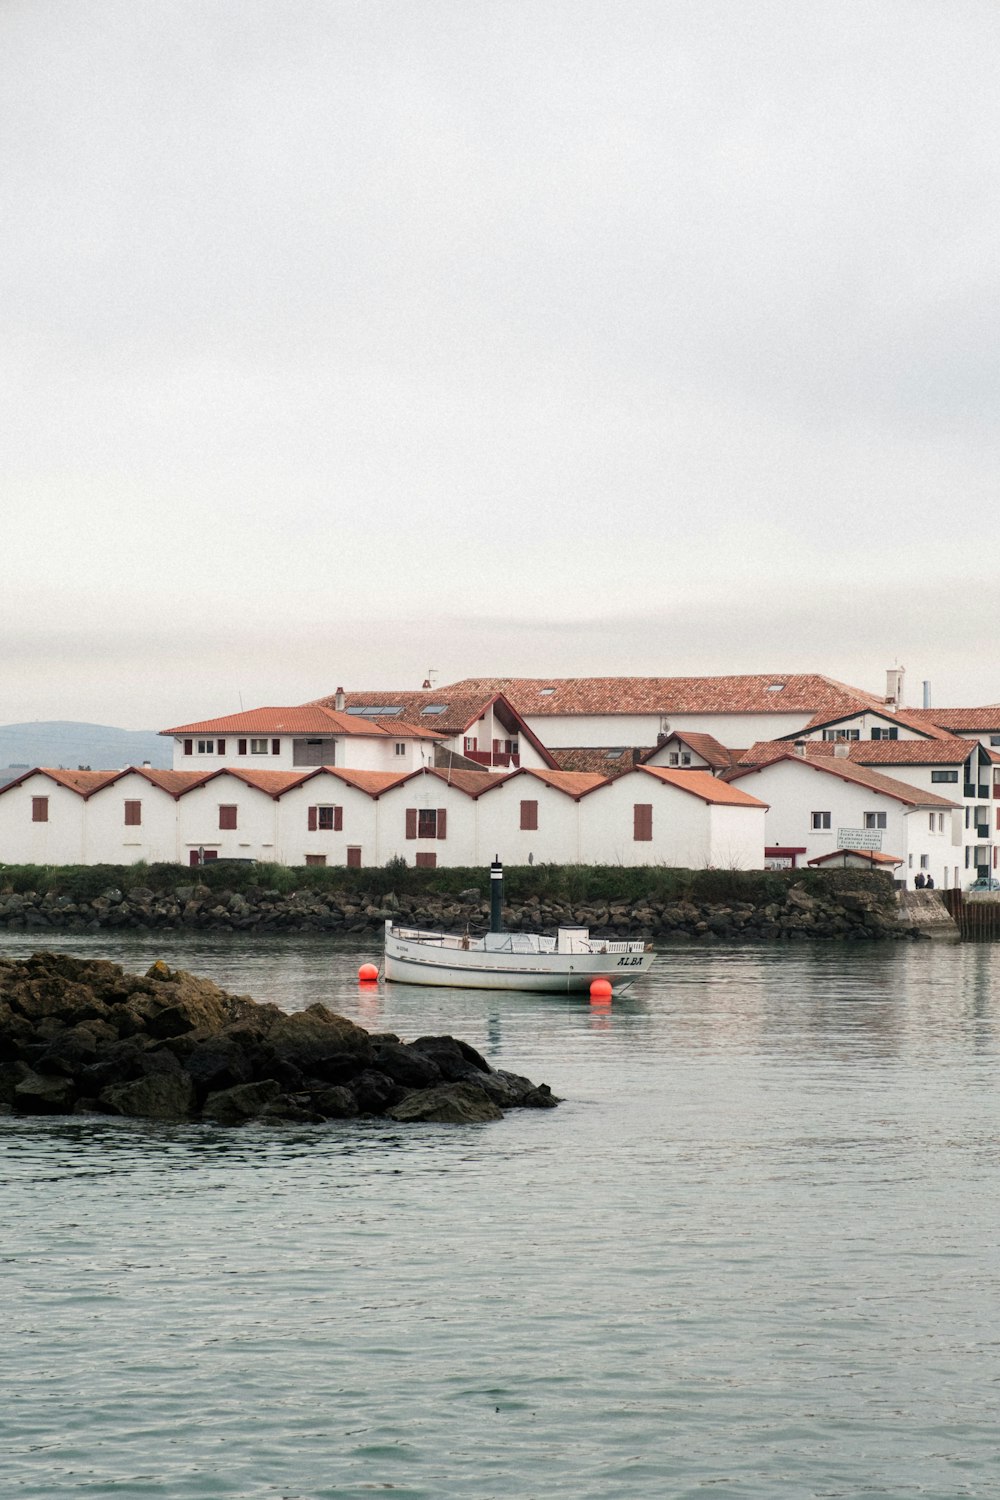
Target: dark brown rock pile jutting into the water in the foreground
x,y
83,1036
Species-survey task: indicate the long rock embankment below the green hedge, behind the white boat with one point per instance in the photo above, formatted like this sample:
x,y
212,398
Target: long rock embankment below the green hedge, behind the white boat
x,y
870,911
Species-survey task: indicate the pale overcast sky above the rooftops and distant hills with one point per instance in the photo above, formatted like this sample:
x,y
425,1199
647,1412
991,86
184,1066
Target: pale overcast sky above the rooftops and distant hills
x,y
353,341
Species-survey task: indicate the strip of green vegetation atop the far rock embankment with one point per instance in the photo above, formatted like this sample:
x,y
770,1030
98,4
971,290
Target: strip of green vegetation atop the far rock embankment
x,y
545,883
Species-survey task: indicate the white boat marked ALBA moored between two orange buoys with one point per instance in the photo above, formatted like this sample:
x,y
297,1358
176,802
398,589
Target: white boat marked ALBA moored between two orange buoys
x,y
501,961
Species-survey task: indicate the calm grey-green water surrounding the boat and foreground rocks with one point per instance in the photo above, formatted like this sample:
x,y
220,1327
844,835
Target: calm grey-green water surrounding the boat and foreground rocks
x,y
753,1255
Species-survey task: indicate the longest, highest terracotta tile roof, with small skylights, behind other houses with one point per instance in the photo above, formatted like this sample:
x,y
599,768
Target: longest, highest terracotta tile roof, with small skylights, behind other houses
x,y
758,694
